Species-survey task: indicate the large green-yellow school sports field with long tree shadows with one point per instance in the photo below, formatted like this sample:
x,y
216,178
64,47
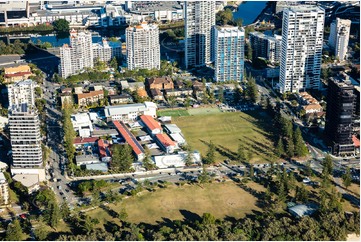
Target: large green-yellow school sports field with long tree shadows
x,y
227,131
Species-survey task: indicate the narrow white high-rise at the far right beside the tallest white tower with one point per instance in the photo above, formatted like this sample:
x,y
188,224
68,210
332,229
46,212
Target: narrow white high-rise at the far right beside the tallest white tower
x,y
339,37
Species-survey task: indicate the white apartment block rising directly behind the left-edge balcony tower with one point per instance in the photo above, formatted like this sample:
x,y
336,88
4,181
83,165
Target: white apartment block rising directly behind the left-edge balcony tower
x,y
21,92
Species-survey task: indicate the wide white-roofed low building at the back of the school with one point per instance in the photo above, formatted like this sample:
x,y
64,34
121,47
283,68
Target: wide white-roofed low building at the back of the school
x,y
130,112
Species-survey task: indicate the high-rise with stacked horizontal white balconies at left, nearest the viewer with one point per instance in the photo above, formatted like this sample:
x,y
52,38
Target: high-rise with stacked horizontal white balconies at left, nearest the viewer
x,y
25,136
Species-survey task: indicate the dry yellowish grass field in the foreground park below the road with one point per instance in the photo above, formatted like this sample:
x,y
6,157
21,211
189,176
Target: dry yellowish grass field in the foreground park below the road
x,y
219,199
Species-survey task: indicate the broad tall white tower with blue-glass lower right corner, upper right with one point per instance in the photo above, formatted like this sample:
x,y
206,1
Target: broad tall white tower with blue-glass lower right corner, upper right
x,y
301,52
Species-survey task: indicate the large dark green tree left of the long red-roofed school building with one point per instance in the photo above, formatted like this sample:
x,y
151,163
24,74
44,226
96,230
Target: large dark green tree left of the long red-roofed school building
x,y
122,158
